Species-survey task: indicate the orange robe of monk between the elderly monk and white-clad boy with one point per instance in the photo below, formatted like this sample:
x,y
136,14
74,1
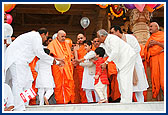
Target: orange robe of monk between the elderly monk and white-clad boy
x,y
80,95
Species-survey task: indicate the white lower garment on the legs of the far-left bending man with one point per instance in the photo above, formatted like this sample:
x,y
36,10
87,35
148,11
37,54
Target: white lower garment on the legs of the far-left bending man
x,y
18,86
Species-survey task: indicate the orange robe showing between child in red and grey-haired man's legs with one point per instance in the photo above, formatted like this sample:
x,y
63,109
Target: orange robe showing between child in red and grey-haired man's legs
x,y
112,72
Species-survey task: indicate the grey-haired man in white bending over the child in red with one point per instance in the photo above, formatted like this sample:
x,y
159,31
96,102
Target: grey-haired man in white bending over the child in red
x,y
124,57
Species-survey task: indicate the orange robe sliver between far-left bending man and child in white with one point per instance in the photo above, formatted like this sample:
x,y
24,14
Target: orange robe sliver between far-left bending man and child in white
x,y
34,73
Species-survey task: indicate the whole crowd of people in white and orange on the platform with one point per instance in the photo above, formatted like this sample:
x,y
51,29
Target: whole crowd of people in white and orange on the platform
x,y
108,68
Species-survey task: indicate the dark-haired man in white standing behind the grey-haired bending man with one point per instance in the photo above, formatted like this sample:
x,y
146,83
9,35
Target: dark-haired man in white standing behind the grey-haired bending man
x,y
142,83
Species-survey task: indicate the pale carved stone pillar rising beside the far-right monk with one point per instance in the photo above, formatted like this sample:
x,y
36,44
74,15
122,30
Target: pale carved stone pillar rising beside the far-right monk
x,y
139,22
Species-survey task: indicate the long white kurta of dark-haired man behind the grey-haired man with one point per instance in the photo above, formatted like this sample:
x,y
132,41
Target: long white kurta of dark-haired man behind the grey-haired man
x,y
142,84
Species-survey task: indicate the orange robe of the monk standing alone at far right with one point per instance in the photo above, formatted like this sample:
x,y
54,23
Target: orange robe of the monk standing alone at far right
x,y
155,58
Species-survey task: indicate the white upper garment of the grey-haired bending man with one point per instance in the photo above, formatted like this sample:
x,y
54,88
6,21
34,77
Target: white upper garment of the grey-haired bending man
x,y
118,51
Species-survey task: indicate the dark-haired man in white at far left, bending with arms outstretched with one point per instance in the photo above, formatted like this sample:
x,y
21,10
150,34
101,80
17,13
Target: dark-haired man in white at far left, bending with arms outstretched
x,y
17,58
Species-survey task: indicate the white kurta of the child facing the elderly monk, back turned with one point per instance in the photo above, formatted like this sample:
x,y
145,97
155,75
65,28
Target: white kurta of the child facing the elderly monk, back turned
x,y
44,78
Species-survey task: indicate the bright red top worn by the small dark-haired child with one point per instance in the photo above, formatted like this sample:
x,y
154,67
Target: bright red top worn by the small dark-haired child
x,y
102,74
